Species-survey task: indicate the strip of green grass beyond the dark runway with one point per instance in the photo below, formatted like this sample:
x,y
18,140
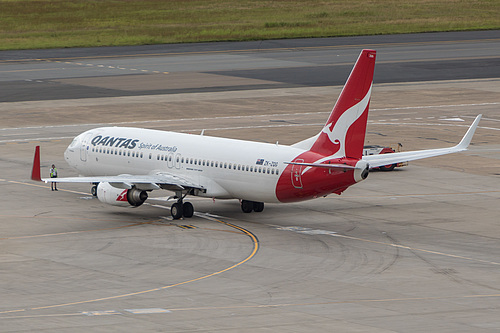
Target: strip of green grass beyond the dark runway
x,y
28,24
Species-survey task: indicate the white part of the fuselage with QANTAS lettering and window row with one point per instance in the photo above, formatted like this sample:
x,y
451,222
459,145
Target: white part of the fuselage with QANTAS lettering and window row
x,y
226,168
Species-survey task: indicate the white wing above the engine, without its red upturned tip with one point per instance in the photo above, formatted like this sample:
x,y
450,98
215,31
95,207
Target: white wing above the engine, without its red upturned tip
x,y
153,181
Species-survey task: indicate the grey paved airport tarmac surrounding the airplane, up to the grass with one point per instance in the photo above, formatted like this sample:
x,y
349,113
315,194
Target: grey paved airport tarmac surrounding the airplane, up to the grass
x,y
411,250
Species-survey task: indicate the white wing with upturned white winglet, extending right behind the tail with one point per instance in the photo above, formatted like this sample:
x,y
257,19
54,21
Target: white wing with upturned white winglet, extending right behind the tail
x,y
385,159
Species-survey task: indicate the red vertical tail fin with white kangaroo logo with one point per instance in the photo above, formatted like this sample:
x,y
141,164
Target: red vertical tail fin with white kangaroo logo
x,y
344,132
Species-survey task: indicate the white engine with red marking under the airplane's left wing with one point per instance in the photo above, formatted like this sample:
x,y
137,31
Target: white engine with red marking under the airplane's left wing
x,y
120,197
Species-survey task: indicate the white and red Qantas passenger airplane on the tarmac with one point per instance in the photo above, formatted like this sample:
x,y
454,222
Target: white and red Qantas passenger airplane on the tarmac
x,y
124,163
